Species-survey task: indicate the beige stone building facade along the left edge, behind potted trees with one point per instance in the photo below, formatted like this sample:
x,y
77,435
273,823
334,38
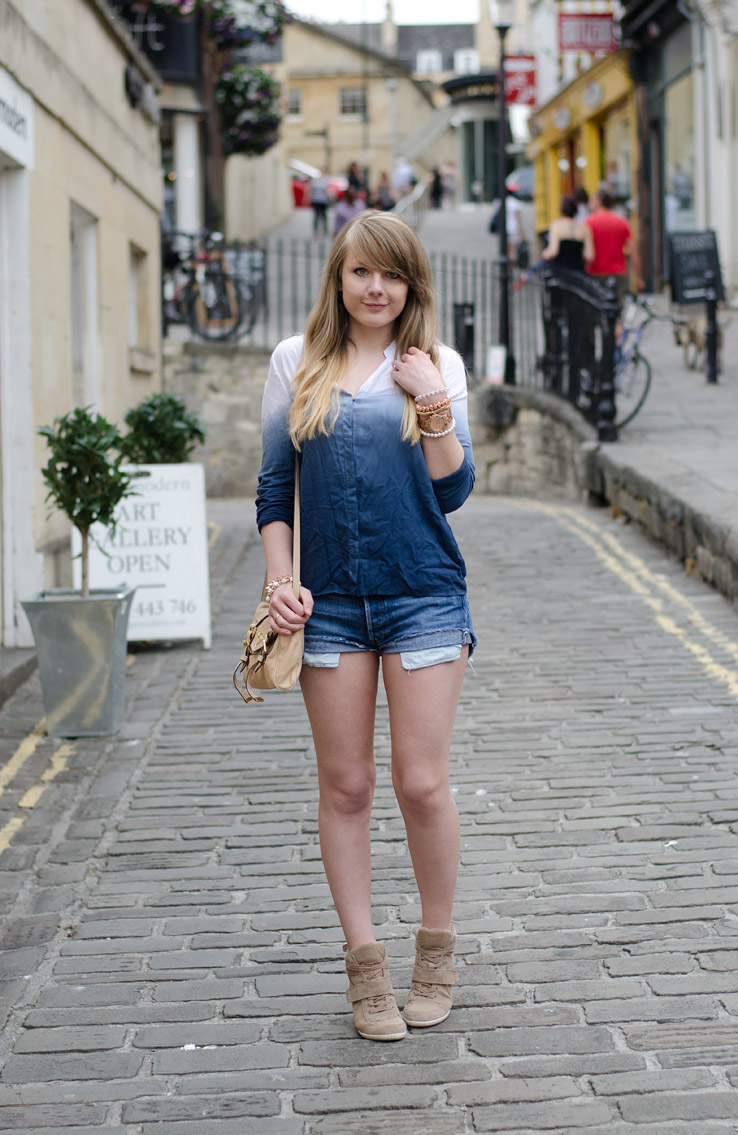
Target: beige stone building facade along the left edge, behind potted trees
x,y
80,312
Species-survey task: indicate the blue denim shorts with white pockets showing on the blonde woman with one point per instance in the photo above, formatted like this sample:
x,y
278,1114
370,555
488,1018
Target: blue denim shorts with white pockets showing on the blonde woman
x,y
424,630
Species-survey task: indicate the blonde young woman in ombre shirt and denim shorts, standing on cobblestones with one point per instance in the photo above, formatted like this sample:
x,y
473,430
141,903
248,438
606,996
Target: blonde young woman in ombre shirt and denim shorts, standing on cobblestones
x,y
378,411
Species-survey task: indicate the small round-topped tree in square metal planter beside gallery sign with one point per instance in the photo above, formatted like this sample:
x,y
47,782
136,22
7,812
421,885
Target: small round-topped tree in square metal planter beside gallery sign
x,y
81,635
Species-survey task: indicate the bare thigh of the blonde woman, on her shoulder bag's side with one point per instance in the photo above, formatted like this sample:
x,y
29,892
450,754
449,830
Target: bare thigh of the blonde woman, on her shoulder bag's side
x,y
341,704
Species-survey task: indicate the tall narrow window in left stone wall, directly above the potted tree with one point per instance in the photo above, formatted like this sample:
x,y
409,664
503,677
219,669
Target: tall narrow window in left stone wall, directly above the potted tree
x,y
83,259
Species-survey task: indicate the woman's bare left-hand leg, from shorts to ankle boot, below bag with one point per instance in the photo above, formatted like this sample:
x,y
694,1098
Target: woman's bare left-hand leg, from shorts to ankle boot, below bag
x,y
341,705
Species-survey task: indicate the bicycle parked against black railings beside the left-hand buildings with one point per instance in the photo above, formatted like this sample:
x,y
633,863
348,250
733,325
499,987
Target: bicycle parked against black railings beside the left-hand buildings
x,y
198,288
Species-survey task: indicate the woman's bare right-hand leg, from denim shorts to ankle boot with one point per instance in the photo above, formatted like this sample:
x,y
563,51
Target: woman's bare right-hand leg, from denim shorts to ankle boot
x,y
423,705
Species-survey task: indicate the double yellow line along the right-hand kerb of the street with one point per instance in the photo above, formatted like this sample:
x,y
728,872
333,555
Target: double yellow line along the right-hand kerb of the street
x,y
673,612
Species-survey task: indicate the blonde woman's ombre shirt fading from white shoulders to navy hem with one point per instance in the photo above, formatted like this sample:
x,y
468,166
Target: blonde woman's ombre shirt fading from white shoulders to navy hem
x,y
373,522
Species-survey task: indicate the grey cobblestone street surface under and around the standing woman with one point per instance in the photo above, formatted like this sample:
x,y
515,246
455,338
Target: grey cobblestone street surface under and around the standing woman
x,y
171,960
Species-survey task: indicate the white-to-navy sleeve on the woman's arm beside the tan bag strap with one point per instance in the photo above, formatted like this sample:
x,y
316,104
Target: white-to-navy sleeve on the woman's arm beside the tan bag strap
x,y
275,493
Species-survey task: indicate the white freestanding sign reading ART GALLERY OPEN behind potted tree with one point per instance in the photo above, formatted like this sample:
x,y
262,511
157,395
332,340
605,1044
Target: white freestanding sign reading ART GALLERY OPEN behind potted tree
x,y
161,548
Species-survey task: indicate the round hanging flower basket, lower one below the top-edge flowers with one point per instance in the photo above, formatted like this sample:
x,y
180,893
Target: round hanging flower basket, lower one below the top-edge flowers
x,y
249,104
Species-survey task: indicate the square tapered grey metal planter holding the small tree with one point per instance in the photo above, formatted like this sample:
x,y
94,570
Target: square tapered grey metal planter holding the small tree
x,y
81,645
